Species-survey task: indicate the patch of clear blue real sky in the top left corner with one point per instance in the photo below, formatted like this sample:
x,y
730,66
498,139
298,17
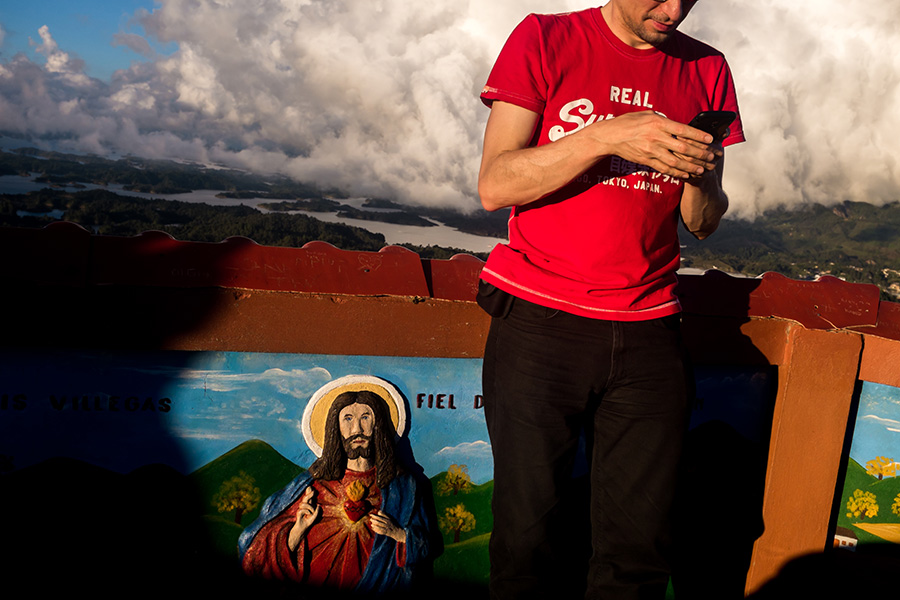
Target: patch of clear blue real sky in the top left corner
x,y
83,27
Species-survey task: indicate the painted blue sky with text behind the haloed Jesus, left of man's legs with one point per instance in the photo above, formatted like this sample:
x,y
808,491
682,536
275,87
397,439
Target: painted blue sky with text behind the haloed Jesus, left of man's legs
x,y
215,401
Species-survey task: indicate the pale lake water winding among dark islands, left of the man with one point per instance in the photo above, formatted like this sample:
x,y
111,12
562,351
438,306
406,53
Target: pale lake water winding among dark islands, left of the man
x,y
440,235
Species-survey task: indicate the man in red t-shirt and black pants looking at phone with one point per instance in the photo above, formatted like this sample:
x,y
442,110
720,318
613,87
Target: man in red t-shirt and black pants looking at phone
x,y
586,142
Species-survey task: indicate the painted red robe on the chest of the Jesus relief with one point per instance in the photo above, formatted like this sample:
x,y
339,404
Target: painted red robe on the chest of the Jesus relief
x,y
336,549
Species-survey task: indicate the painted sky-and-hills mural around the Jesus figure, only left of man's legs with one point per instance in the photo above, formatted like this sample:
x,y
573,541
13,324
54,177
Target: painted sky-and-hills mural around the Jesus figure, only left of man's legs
x,y
231,426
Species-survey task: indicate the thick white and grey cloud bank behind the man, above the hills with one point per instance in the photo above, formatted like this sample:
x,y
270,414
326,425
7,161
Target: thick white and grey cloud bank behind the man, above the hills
x,y
380,97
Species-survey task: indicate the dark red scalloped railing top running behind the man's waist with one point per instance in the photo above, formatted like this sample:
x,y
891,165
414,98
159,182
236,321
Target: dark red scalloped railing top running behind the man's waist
x,y
66,254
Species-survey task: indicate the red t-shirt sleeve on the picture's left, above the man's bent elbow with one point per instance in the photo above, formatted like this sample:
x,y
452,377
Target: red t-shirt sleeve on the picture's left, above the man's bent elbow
x,y
517,76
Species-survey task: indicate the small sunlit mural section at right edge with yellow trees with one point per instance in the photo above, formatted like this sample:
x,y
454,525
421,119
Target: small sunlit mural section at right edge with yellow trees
x,y
868,510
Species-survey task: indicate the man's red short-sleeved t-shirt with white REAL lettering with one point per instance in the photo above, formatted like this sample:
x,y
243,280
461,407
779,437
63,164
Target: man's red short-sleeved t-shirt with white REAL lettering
x,y
606,245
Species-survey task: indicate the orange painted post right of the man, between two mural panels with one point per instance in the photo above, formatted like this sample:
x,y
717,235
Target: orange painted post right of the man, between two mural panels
x,y
810,420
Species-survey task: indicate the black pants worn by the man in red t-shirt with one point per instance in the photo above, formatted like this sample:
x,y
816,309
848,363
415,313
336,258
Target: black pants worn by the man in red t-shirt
x,y
552,379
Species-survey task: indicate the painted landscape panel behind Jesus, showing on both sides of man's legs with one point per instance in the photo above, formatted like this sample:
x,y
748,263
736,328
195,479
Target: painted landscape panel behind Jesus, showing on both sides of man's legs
x,y
186,437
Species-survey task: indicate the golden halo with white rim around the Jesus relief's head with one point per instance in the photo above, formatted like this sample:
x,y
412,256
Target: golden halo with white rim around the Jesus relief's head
x,y
313,423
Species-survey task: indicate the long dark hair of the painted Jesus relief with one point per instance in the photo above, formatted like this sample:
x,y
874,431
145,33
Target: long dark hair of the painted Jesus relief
x,y
332,465
